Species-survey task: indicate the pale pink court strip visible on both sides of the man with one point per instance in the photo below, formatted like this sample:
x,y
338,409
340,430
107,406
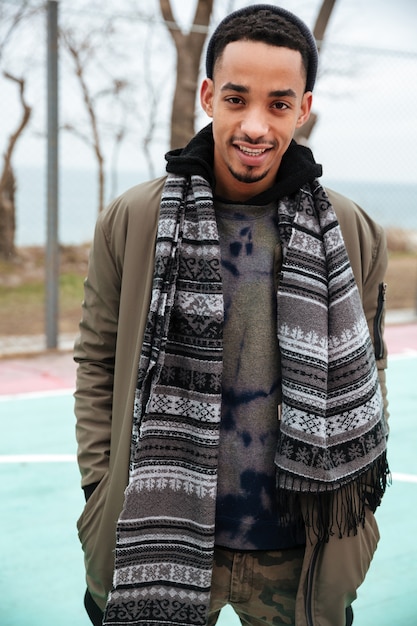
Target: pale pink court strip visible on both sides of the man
x,y
50,371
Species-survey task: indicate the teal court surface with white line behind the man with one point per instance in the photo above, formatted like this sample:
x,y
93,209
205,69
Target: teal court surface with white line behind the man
x,y
41,572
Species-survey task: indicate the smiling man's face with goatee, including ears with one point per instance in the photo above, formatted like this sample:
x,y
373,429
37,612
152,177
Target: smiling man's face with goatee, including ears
x,y
256,100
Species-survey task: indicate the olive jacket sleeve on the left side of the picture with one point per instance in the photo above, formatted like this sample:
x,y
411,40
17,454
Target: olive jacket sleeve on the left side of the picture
x,y
95,354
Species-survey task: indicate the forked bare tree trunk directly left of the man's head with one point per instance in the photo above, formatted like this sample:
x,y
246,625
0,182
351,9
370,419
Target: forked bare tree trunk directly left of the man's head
x,y
189,48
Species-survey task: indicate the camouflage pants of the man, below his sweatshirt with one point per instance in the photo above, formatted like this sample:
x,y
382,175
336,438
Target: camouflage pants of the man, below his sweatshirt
x,y
261,586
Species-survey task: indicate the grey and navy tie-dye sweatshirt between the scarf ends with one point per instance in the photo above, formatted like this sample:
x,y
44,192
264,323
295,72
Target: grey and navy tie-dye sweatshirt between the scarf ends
x,y
247,515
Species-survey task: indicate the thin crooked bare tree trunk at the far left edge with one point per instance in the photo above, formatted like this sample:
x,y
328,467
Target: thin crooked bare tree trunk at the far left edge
x,y
7,178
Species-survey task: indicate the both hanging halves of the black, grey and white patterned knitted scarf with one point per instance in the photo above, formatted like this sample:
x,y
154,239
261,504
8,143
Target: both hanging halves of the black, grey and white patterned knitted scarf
x,y
332,429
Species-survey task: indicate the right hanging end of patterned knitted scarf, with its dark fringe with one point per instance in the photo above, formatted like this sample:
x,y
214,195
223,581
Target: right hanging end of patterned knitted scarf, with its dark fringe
x,y
333,435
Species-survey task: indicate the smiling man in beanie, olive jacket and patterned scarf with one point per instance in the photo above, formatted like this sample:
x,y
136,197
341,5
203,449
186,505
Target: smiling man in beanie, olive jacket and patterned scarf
x,y
230,388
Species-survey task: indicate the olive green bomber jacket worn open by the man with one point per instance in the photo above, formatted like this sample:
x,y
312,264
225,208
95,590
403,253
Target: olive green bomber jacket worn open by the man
x,y
115,308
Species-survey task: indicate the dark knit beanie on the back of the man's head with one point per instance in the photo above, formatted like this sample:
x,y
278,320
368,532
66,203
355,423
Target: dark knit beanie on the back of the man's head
x,y
305,31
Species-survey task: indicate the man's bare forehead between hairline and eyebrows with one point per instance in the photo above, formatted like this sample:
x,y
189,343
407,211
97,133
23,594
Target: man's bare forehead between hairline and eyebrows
x,y
258,60
